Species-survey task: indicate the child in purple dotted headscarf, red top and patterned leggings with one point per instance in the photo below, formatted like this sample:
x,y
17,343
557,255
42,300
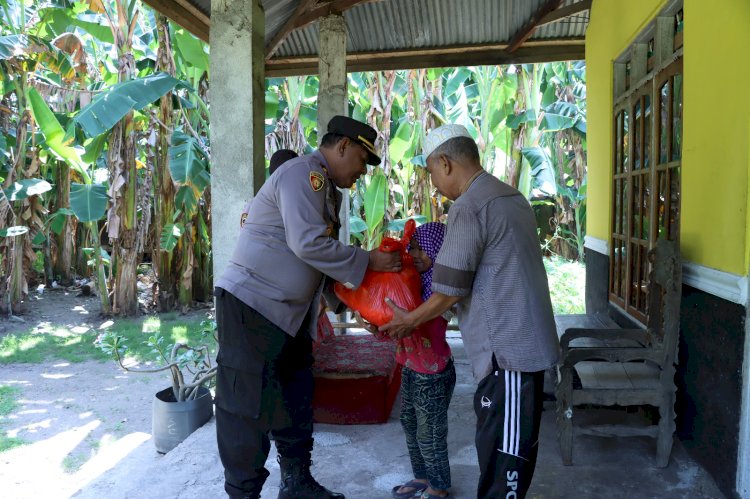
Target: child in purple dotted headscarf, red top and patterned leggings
x,y
427,381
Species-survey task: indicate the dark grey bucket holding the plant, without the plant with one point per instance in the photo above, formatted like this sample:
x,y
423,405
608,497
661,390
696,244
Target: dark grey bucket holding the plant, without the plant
x,y
172,421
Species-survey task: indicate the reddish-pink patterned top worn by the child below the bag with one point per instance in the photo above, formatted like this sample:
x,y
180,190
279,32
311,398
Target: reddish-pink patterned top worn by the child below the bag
x,y
426,350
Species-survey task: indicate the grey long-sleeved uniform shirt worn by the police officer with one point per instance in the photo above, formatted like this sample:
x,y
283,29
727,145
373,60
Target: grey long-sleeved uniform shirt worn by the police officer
x,y
286,245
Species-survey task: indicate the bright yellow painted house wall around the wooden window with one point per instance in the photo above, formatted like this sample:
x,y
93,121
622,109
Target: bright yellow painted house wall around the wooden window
x,y
716,154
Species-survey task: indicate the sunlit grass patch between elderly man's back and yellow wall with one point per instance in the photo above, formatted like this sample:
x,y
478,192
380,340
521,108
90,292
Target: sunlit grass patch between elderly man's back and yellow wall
x,y
567,285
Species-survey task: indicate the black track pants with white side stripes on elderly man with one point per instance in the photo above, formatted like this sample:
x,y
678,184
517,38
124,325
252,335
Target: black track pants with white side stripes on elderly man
x,y
508,405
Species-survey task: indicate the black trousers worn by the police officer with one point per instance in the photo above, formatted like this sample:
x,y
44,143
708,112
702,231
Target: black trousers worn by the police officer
x,y
264,385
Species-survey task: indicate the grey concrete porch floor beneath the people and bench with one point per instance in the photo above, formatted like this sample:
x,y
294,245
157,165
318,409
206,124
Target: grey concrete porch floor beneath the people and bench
x,y
366,461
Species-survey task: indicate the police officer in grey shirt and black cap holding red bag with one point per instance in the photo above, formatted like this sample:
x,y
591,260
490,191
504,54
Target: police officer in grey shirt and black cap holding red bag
x,y
267,304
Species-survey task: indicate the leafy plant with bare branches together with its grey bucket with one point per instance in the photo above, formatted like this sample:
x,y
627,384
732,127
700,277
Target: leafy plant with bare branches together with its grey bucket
x,y
187,404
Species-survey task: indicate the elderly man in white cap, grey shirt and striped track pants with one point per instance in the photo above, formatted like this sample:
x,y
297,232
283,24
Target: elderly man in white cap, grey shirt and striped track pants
x,y
490,264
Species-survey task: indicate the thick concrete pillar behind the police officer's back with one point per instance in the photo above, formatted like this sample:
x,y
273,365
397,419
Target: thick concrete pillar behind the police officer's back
x,y
237,117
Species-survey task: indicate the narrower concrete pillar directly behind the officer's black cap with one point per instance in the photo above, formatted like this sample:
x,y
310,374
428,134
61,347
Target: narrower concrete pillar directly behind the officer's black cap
x,y
332,93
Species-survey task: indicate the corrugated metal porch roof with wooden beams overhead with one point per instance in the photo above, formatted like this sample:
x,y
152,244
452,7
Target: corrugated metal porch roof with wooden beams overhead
x,y
398,33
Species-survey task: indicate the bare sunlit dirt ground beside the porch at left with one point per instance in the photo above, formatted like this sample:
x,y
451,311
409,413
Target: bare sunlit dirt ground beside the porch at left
x,y
78,419
